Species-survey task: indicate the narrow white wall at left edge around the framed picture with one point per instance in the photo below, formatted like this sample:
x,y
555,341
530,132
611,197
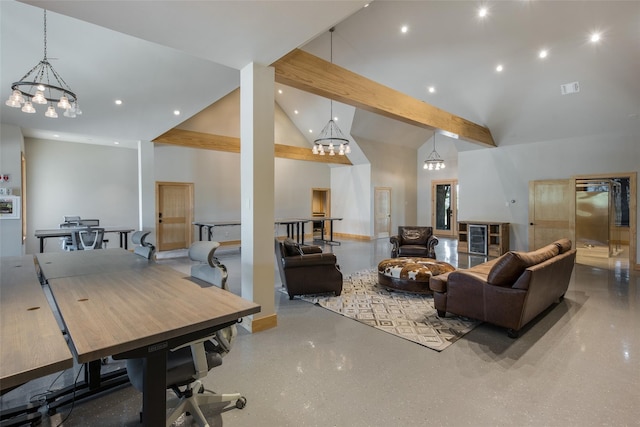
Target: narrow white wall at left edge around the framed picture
x,y
11,147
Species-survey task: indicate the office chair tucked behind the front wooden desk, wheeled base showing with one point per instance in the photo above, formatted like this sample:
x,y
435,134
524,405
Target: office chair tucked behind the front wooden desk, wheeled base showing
x,y
188,364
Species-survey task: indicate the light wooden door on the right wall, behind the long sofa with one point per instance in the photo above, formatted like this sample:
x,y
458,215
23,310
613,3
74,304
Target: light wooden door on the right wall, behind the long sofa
x,y
551,211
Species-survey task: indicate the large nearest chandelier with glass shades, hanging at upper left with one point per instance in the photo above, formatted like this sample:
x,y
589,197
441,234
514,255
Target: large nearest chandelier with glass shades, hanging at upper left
x,y
43,85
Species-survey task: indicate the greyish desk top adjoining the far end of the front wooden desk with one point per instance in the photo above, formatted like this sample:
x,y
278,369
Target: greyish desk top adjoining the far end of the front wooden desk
x,y
54,265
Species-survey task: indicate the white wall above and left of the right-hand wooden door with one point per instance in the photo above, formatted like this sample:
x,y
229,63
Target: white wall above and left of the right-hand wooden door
x,y
490,178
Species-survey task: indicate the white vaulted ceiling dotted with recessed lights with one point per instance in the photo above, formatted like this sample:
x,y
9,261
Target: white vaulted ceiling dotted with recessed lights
x,y
162,56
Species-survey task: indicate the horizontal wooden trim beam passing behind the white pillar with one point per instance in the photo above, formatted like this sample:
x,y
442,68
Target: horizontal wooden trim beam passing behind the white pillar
x,y
207,141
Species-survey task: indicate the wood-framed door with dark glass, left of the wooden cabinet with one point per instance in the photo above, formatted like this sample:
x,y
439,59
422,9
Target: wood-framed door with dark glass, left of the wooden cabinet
x,y
444,207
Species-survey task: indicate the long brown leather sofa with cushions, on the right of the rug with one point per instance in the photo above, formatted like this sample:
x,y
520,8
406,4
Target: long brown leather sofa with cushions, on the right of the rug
x,y
508,291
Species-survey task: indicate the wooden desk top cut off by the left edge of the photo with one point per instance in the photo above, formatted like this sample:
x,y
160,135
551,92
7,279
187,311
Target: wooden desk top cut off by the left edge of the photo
x,y
31,342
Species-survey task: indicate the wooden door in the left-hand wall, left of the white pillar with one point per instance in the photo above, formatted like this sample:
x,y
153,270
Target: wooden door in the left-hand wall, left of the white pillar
x,y
174,215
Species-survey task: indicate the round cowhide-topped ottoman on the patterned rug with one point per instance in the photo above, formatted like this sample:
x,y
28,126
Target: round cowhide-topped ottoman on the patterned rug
x,y
410,274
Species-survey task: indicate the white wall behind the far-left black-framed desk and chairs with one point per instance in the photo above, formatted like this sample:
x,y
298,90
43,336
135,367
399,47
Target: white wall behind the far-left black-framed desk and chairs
x,y
92,181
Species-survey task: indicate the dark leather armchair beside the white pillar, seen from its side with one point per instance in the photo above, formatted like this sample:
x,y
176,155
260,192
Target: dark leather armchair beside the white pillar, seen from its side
x,y
305,269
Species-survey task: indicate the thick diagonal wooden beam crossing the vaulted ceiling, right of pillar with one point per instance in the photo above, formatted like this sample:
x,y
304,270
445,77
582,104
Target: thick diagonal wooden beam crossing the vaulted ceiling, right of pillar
x,y
309,73
